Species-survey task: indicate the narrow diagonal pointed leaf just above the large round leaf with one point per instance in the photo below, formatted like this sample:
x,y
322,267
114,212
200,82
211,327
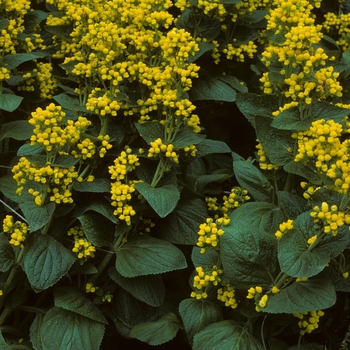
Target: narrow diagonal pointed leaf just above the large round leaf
x,y
250,178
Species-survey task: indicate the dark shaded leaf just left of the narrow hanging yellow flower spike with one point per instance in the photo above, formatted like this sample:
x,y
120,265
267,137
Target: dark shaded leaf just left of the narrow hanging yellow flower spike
x,y
97,229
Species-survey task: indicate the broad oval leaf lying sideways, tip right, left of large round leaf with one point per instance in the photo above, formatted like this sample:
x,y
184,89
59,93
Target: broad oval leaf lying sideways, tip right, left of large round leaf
x,y
148,256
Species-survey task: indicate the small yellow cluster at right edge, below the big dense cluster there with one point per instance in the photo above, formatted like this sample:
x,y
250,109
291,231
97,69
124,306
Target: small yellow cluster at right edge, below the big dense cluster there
x,y
330,217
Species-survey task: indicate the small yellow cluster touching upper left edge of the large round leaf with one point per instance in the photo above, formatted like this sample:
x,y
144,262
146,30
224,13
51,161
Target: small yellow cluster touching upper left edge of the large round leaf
x,y
210,231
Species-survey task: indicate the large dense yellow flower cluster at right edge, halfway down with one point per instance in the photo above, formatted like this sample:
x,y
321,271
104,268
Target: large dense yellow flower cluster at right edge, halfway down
x,y
321,146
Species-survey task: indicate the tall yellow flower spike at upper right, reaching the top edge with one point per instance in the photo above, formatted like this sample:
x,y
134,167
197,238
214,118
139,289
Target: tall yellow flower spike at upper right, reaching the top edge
x,y
302,63
